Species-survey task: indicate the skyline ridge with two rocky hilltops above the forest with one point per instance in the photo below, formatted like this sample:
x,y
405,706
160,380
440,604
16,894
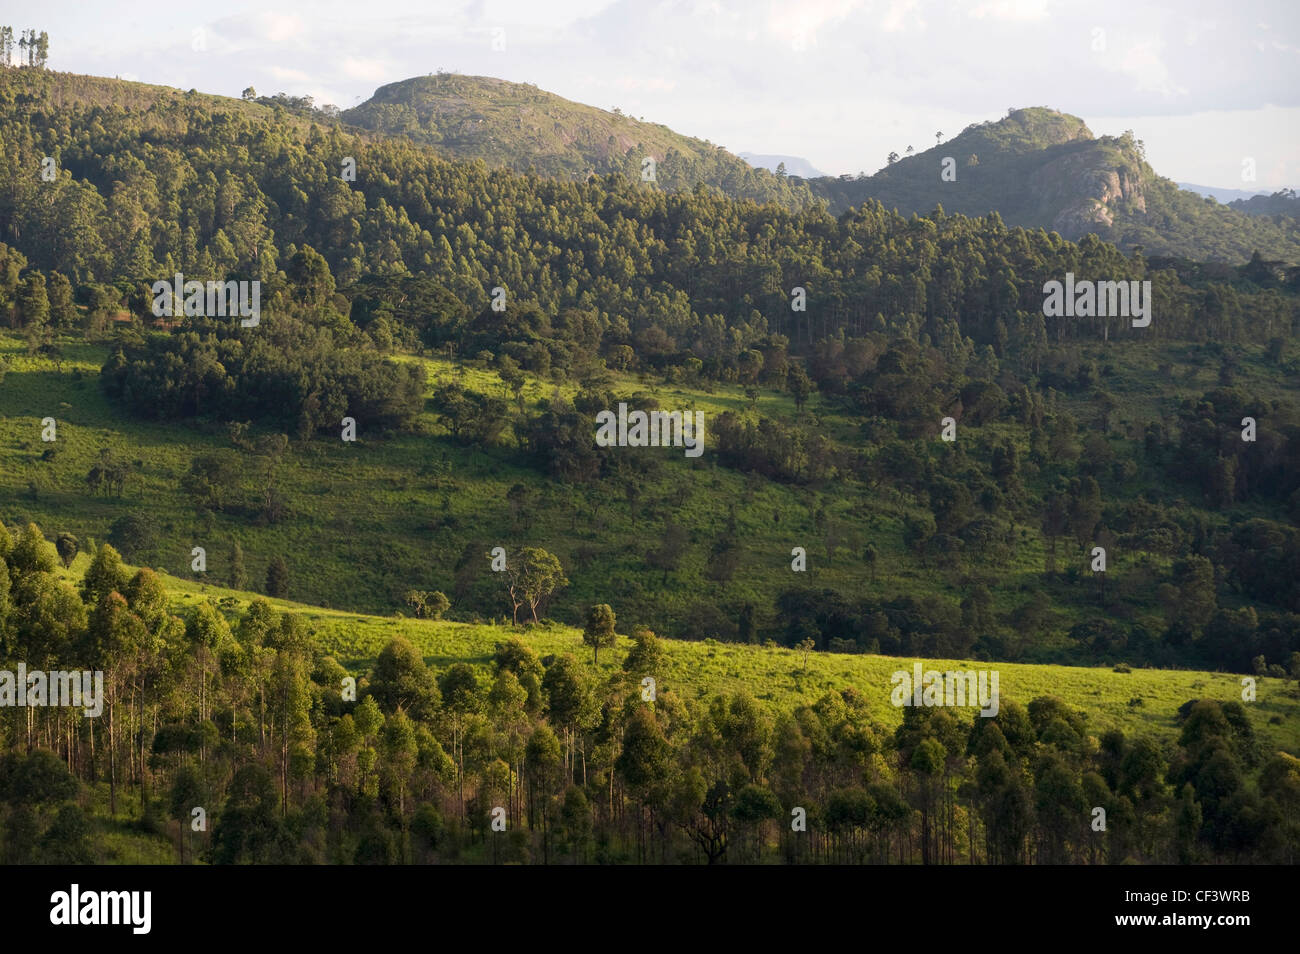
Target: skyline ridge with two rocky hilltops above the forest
x,y
1037,167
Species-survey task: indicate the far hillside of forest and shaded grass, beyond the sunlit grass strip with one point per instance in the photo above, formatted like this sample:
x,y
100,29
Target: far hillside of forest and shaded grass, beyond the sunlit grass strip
x,y
1068,436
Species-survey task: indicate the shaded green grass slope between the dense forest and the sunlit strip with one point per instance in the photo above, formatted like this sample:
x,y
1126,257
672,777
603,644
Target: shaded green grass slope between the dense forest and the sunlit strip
x,y
370,522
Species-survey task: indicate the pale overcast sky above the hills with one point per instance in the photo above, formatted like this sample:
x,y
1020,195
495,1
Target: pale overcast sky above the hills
x,y
839,83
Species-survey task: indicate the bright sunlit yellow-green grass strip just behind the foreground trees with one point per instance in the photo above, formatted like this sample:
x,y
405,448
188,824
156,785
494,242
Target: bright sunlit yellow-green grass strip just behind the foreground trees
x,y
1138,703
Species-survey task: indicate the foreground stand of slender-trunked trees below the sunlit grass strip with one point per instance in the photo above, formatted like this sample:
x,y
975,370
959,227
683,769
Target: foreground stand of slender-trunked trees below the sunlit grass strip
x,y
413,770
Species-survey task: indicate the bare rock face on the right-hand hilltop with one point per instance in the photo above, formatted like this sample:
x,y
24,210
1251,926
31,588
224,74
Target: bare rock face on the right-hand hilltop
x,y
1084,188
